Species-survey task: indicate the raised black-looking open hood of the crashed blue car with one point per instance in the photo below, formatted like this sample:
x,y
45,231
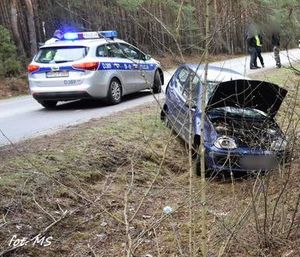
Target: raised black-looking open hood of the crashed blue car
x,y
261,95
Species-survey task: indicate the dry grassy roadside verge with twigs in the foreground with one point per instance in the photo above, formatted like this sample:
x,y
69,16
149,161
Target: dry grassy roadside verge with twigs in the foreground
x,y
86,171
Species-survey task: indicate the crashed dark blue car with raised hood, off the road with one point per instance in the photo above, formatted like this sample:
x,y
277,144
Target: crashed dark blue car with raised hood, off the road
x,y
240,133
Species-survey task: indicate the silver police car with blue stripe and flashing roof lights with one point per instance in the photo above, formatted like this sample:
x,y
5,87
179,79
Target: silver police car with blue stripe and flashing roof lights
x,y
91,65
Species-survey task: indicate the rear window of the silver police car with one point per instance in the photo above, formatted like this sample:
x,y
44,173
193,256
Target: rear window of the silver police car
x,y
61,54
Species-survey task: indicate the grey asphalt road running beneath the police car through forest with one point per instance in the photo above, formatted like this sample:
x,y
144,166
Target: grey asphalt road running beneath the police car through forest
x,y
22,117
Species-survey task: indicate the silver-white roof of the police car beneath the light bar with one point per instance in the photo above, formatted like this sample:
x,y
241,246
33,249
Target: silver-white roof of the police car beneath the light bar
x,y
83,42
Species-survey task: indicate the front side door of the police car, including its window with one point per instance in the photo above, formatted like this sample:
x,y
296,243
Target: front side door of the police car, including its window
x,y
139,67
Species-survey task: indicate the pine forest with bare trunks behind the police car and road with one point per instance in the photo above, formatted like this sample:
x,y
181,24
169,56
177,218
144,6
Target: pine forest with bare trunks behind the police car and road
x,y
155,26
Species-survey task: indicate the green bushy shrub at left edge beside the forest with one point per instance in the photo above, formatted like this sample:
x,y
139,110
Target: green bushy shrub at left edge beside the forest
x,y
9,64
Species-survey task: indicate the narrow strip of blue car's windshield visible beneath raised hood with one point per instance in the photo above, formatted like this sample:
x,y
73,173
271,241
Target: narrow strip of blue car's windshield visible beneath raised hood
x,y
239,112
